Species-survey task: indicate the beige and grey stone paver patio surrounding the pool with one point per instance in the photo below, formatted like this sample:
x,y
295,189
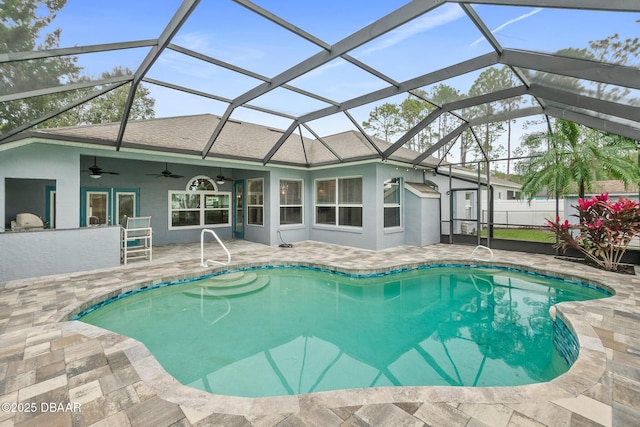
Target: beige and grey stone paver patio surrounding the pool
x,y
55,372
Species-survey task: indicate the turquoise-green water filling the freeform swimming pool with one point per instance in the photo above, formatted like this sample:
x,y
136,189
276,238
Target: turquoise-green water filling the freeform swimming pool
x,y
284,331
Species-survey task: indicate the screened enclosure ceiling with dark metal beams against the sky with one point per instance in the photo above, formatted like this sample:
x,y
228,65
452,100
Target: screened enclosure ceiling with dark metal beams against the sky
x,y
314,70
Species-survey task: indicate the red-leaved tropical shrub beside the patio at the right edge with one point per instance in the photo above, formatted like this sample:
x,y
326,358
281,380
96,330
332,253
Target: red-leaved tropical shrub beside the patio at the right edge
x,y
604,231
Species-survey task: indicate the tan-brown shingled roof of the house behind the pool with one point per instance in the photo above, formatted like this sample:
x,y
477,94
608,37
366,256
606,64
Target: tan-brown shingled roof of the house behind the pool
x,y
238,140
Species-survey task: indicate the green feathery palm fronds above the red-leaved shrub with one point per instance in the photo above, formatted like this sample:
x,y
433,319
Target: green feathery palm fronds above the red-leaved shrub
x,y
578,156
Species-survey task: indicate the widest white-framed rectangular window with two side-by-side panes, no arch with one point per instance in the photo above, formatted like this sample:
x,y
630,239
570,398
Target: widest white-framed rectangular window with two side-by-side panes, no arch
x,y
339,201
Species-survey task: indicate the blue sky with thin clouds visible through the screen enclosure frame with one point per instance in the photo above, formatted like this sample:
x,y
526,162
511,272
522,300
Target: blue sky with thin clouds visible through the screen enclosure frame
x,y
231,33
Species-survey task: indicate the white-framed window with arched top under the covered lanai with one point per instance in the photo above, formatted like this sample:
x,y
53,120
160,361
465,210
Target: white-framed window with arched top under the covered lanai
x,y
200,205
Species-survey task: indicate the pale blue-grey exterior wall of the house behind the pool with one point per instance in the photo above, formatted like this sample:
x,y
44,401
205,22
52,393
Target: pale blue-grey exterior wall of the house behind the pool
x,y
66,166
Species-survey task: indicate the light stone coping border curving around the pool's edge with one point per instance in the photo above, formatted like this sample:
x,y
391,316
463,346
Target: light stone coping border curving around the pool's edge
x,y
584,374
